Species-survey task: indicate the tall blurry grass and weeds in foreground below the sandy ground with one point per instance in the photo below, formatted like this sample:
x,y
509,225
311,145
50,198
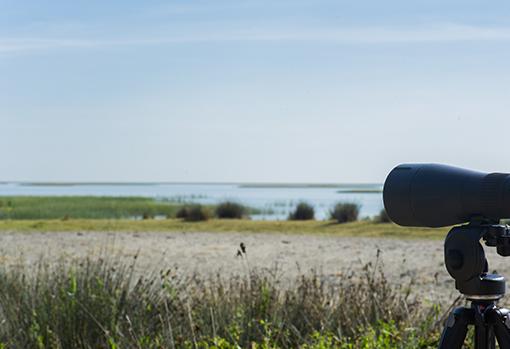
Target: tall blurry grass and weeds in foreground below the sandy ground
x,y
100,304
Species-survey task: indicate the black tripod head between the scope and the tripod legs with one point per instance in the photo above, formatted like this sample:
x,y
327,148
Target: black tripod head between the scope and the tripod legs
x,y
466,262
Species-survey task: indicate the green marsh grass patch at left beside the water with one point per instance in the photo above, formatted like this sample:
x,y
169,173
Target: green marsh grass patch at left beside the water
x,y
90,207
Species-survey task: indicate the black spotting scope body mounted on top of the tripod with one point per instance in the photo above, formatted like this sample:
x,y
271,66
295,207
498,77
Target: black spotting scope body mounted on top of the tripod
x,y
433,195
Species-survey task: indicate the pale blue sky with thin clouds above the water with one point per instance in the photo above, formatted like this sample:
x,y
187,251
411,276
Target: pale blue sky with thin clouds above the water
x,y
251,91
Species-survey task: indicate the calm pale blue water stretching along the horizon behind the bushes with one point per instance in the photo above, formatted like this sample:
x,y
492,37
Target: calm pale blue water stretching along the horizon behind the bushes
x,y
274,201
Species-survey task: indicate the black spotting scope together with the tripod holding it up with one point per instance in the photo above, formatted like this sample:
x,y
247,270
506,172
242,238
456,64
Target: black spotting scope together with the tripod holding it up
x,y
432,195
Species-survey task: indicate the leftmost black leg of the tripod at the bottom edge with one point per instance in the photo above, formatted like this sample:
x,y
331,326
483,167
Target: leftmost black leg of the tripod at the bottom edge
x,y
455,329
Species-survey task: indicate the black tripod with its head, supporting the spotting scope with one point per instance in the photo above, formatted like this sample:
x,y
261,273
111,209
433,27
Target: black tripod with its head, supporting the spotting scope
x,y
466,263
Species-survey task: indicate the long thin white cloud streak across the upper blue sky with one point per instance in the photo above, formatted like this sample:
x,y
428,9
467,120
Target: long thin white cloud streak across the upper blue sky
x,y
444,33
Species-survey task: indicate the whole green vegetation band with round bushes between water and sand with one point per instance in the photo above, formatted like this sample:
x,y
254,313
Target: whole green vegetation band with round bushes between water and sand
x,y
118,213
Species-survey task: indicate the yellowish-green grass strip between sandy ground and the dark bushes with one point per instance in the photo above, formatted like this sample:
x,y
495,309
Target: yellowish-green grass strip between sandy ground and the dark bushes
x,y
361,228
